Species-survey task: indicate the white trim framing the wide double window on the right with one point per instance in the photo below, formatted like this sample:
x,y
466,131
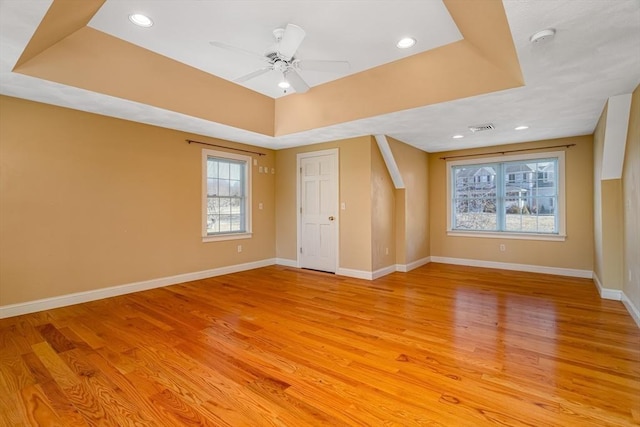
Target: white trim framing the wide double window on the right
x,y
562,212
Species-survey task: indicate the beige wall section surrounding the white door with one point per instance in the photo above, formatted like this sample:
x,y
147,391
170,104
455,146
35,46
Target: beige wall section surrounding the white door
x,y
354,188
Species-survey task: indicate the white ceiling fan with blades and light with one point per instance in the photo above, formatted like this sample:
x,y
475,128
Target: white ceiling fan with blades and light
x,y
281,57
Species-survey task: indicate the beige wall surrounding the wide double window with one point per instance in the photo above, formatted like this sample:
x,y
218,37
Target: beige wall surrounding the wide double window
x,y
576,252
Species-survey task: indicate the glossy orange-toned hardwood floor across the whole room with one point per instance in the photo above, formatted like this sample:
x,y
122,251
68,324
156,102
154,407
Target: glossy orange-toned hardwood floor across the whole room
x,y
441,345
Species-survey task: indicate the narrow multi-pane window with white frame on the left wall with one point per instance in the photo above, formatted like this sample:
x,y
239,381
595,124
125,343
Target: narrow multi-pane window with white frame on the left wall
x,y
227,196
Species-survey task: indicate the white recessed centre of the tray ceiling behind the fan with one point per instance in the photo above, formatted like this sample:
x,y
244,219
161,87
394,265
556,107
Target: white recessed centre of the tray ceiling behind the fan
x,y
336,30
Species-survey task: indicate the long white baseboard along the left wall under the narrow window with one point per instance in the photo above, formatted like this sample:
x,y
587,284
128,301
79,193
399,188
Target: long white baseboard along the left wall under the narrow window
x,y
80,297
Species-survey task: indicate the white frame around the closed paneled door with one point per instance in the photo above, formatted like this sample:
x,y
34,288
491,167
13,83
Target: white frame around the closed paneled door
x,y
336,153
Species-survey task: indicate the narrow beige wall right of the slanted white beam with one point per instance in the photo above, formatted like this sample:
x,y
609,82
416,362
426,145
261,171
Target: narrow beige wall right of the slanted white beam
x,y
412,205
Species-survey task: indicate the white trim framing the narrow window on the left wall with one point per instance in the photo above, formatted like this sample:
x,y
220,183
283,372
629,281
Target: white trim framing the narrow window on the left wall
x,y
206,153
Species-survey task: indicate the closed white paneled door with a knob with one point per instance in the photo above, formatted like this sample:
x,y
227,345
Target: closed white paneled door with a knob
x,y
318,210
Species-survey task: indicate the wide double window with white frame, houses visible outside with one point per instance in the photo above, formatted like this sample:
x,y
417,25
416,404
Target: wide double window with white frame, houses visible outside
x,y
516,196
